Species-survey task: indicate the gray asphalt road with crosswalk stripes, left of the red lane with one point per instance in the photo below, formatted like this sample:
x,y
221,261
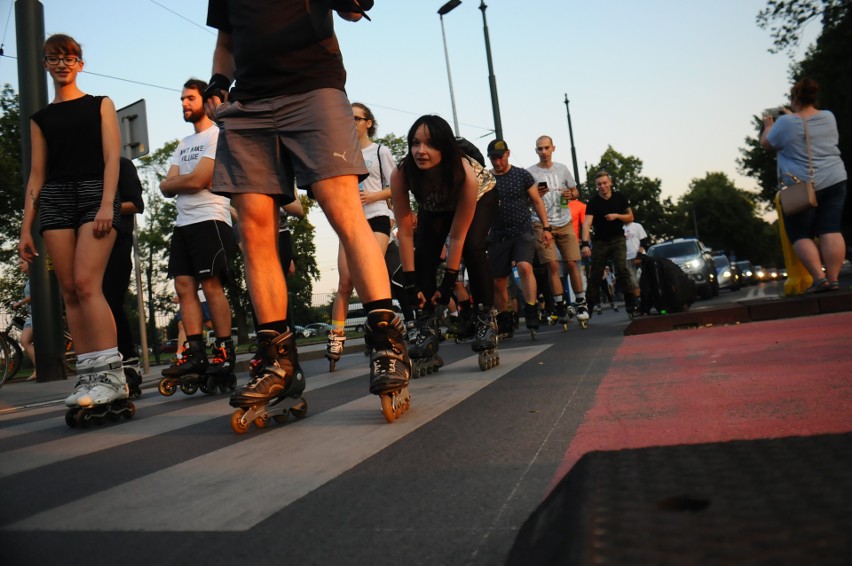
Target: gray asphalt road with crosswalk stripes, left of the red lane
x,y
450,482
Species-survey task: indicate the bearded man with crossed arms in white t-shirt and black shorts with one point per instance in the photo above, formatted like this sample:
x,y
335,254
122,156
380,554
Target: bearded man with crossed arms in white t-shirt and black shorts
x,y
202,242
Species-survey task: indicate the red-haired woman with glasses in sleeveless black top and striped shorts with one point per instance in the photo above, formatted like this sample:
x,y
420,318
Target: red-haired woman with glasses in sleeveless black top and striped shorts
x,y
72,188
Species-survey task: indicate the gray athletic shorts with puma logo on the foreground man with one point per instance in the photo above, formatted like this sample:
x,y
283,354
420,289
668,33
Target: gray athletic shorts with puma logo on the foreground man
x,y
268,146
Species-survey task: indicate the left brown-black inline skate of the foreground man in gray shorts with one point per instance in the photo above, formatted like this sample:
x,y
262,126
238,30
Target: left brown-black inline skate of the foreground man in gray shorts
x,y
275,386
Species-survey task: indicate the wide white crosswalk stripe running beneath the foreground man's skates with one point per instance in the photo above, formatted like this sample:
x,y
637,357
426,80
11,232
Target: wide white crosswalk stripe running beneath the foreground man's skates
x,y
246,483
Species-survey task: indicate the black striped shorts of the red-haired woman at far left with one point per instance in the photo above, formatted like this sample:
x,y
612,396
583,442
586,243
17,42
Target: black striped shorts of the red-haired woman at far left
x,y
71,204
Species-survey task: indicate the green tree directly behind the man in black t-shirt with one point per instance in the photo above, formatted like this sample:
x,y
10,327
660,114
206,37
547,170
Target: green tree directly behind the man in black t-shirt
x,y
649,209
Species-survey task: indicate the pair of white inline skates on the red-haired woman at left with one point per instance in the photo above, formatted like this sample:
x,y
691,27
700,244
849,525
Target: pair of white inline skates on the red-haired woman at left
x,y
100,394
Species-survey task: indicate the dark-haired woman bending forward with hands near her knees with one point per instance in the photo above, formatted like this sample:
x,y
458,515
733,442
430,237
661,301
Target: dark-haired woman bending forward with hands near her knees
x,y
454,198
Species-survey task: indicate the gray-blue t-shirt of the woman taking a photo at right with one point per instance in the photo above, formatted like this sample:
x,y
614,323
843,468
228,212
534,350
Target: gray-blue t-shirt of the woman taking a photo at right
x,y
787,136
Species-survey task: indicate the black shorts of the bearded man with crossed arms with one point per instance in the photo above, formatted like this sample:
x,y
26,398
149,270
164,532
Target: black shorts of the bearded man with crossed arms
x,y
202,250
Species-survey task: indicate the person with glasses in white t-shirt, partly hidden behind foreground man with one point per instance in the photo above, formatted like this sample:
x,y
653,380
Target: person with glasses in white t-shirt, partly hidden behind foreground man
x,y
375,197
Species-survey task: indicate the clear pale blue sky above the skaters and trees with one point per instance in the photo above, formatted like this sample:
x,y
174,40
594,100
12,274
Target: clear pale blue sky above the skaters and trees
x,y
672,82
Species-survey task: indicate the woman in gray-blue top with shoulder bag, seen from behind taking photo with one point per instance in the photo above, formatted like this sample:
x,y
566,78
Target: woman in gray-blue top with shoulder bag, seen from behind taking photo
x,y
787,137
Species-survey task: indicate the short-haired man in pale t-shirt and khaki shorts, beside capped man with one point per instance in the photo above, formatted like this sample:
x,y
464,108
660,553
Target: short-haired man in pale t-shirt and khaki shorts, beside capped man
x,y
554,182
